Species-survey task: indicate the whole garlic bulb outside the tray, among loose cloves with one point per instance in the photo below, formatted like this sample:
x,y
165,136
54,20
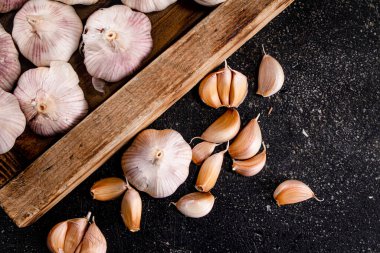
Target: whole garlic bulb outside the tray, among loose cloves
x,y
157,162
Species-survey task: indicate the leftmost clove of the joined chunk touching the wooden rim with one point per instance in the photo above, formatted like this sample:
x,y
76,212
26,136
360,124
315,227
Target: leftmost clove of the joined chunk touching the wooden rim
x,y
208,91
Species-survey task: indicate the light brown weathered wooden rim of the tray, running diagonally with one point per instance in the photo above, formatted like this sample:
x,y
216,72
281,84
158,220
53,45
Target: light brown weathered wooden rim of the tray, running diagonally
x,y
137,104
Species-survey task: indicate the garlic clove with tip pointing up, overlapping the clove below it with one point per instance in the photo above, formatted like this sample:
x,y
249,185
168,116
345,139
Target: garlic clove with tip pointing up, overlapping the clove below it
x,y
248,142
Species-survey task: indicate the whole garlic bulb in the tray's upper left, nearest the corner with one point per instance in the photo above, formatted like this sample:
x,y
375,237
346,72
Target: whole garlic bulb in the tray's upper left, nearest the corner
x,y
47,31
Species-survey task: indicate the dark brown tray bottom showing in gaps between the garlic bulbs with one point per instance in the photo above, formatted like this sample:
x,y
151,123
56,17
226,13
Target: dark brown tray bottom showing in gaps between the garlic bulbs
x,y
167,26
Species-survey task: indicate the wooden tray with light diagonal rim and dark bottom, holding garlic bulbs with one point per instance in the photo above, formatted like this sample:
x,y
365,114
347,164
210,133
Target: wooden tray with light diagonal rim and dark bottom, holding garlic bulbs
x,y
189,41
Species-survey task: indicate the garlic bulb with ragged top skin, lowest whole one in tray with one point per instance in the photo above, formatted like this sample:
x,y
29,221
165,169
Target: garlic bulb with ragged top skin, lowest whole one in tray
x,y
51,98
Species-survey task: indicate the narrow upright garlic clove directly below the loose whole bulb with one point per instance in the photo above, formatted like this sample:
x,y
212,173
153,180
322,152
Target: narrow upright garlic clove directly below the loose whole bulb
x,y
131,209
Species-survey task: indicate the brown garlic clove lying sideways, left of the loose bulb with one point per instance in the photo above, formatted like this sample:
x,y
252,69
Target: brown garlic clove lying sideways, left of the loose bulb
x,y
108,188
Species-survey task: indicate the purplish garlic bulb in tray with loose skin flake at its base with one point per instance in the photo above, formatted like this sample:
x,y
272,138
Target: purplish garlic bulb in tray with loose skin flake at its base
x,y
115,41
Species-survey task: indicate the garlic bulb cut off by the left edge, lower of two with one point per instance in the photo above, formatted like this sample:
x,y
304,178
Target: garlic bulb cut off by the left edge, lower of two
x,y
12,121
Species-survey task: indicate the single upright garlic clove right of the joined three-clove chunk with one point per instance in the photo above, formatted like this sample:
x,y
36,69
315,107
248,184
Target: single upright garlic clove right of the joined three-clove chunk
x,y
271,76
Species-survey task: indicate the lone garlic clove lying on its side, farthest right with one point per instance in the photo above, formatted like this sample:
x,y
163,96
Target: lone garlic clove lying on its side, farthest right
x,y
291,192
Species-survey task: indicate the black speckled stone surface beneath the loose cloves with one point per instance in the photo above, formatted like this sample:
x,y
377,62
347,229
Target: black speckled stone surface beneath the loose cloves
x,y
330,54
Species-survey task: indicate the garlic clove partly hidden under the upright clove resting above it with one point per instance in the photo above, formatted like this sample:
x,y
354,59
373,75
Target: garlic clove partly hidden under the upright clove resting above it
x,y
251,166
